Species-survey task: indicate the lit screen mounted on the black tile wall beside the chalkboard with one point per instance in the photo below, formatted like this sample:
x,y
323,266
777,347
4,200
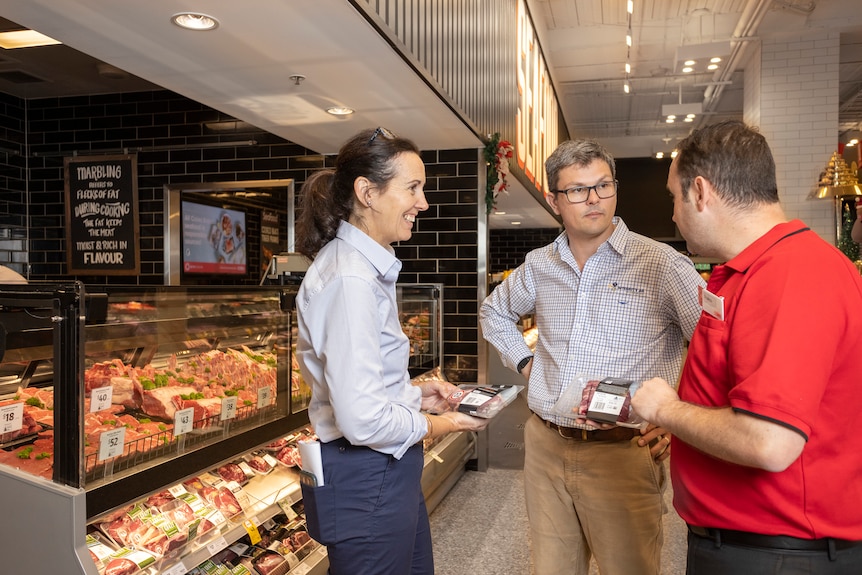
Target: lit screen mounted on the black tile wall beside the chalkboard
x,y
213,239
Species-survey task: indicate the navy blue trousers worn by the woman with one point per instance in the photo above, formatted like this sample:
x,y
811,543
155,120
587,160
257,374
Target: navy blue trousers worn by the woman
x,y
370,513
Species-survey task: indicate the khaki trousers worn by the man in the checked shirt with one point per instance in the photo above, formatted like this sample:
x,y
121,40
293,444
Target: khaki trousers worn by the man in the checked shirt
x,y
584,499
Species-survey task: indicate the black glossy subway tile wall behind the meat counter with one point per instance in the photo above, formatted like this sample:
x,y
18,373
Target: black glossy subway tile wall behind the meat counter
x,y
443,249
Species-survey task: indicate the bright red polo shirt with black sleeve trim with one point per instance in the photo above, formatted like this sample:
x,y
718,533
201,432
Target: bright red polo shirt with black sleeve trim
x,y
789,350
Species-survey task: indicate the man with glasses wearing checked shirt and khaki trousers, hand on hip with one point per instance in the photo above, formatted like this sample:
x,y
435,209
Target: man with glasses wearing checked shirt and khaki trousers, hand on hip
x,y
607,303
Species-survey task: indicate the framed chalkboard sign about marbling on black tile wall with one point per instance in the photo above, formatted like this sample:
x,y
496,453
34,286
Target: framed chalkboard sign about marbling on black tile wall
x,y
102,215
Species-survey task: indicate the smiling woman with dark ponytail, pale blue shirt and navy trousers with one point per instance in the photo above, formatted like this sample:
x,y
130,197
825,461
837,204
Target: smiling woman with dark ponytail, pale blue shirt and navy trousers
x,y
351,349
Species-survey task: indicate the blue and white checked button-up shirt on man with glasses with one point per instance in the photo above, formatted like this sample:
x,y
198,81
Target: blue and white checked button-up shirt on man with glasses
x,y
627,314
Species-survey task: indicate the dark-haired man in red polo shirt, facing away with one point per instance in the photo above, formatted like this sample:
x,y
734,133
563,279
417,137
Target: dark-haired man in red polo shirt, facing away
x,y
766,468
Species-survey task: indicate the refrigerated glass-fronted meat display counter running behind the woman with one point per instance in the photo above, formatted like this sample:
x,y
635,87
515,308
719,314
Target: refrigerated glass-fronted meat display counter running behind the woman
x,y
121,407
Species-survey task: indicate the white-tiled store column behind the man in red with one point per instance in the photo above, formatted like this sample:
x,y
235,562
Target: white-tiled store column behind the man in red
x,y
791,93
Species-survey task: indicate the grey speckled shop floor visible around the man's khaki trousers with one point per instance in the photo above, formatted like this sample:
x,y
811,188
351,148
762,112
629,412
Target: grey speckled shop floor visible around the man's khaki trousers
x,y
480,528
